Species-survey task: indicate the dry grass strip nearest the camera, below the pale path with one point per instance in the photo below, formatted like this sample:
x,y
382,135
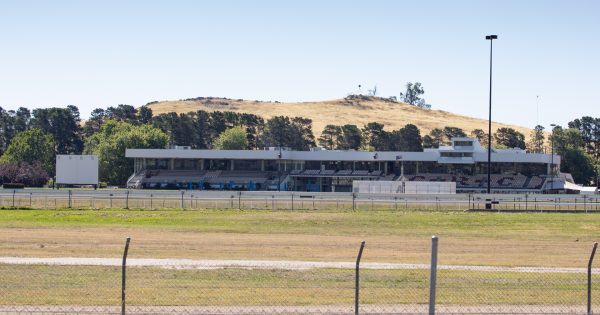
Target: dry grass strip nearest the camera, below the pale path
x,y
85,285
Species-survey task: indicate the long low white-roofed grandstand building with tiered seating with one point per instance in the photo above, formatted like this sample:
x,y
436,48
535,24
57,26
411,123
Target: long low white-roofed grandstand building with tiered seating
x,y
463,162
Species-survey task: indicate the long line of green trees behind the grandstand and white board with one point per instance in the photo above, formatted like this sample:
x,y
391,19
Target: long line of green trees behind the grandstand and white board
x,y
31,139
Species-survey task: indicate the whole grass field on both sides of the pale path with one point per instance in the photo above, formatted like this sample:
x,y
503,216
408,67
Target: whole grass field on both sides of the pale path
x,y
492,239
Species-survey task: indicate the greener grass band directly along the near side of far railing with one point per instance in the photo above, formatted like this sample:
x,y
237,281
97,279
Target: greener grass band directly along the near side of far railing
x,y
544,226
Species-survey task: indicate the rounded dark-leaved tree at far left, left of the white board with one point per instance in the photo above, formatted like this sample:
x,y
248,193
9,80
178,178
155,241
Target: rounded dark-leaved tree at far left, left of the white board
x,y
31,146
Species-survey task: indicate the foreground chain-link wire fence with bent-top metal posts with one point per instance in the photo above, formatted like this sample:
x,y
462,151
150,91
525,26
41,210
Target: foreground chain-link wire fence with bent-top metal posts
x,y
124,285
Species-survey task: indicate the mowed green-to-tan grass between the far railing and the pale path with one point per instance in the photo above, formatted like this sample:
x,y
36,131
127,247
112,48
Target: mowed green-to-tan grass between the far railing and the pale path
x,y
522,239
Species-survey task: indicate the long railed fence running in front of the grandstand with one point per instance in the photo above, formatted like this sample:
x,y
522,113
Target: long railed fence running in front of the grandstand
x,y
190,199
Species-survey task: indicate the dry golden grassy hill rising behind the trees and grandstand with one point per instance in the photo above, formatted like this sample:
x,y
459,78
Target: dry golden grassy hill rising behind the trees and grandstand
x,y
357,110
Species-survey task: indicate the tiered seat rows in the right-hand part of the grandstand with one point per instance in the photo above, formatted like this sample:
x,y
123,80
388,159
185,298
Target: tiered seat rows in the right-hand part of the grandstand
x,y
498,181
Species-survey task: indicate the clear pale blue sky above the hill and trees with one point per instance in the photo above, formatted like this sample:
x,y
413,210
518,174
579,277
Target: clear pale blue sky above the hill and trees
x,y
103,53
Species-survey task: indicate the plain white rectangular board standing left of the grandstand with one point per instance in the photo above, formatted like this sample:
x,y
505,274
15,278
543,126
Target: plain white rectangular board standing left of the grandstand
x,y
77,170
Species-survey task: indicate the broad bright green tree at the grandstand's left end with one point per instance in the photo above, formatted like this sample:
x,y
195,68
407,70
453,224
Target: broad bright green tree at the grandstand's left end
x,y
111,141
